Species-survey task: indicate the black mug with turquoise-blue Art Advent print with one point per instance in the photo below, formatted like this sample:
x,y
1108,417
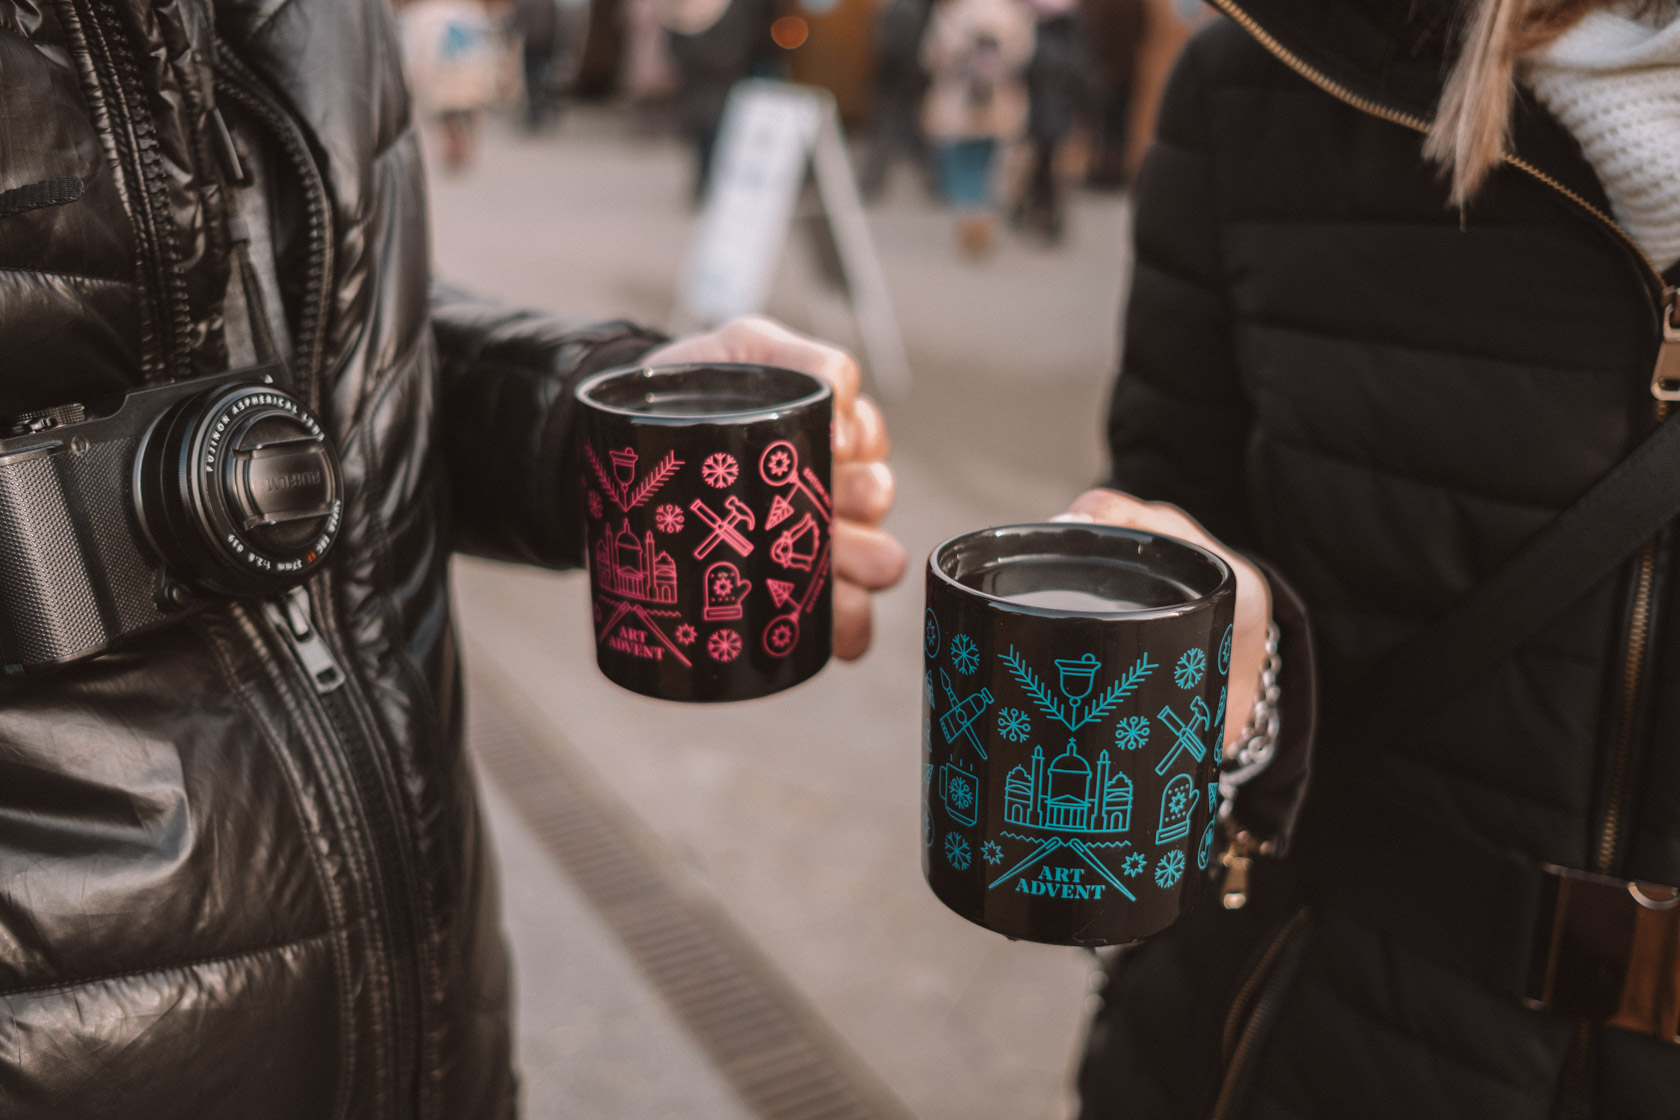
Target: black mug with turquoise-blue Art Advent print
x,y
1074,698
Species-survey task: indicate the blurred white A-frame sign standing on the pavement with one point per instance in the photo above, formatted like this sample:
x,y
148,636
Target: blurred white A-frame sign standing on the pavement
x,y
775,133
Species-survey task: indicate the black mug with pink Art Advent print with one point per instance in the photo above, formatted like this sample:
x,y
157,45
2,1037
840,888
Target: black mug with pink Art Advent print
x,y
708,520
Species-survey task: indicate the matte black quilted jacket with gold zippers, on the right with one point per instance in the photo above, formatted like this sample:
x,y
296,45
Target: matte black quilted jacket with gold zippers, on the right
x,y
1385,400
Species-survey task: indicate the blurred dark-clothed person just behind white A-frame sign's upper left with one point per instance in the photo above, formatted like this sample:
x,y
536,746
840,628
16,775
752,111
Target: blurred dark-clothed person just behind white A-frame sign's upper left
x,y
713,46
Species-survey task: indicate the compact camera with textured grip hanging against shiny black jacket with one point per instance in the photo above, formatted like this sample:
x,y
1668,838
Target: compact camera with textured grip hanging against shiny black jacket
x,y
115,521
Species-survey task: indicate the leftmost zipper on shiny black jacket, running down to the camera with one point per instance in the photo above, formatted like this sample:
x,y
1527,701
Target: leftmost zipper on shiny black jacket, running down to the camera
x,y
164,300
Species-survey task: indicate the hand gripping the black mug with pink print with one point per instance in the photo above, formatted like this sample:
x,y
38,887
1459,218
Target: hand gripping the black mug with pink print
x,y
866,558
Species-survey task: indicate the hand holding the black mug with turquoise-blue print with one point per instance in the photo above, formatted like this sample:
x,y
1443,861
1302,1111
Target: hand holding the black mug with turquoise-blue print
x,y
1254,597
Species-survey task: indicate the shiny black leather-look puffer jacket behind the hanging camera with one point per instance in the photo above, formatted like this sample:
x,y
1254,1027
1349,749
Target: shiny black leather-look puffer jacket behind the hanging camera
x,y
224,894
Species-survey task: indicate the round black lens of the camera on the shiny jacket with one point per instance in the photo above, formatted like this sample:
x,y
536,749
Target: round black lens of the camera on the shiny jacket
x,y
239,491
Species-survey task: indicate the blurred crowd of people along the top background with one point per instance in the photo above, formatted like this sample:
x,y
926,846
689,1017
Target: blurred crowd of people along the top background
x,y
999,107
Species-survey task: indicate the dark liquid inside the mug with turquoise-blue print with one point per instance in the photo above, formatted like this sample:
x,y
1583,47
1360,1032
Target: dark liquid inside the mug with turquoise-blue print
x,y
1081,585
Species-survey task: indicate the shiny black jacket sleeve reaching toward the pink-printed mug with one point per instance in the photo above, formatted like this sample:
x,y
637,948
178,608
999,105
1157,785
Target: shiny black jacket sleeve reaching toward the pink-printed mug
x,y
508,422
